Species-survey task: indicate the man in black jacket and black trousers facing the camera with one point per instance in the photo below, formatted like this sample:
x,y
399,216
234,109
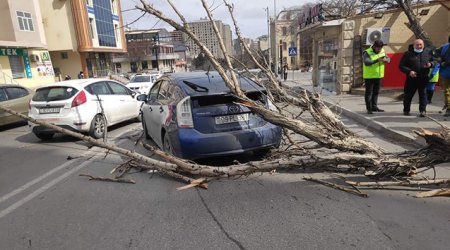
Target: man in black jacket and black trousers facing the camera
x,y
416,64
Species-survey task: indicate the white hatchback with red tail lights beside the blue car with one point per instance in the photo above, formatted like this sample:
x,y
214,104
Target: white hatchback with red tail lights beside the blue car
x,y
77,105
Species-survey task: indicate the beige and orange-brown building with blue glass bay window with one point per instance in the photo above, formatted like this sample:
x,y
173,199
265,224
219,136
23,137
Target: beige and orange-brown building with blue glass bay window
x,y
82,35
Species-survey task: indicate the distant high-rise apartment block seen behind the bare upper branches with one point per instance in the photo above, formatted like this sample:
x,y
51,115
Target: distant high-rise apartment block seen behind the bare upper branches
x,y
205,32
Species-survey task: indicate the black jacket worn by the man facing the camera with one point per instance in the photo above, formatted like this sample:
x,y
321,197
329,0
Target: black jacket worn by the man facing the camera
x,y
412,61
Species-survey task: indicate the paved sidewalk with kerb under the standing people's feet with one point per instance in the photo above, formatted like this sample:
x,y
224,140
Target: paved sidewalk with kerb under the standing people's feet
x,y
391,123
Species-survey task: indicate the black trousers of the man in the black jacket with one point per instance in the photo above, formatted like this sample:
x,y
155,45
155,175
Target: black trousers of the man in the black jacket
x,y
411,86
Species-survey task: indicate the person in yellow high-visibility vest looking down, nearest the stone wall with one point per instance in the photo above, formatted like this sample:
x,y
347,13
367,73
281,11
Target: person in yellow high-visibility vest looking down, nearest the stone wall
x,y
374,59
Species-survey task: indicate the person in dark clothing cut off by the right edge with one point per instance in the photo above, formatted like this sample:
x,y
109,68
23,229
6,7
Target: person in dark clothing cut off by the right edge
x,y
444,73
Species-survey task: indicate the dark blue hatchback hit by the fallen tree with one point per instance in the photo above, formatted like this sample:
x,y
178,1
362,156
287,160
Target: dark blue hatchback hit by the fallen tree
x,y
194,115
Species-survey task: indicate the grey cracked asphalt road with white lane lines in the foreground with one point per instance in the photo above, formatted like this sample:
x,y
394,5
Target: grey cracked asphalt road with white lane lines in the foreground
x,y
44,204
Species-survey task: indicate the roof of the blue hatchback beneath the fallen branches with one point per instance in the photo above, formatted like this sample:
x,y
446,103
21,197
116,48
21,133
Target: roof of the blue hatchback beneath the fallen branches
x,y
212,82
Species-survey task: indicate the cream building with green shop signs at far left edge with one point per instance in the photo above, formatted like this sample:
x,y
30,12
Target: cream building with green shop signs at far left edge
x,y
24,58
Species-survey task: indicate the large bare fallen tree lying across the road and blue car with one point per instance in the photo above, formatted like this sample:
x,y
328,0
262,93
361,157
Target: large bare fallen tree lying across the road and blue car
x,y
329,144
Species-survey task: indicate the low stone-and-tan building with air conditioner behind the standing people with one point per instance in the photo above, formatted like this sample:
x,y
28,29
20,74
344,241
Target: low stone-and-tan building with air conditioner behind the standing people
x,y
337,45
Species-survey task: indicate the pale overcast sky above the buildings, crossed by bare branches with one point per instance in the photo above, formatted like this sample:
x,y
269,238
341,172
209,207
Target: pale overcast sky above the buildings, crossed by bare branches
x,y
250,14
